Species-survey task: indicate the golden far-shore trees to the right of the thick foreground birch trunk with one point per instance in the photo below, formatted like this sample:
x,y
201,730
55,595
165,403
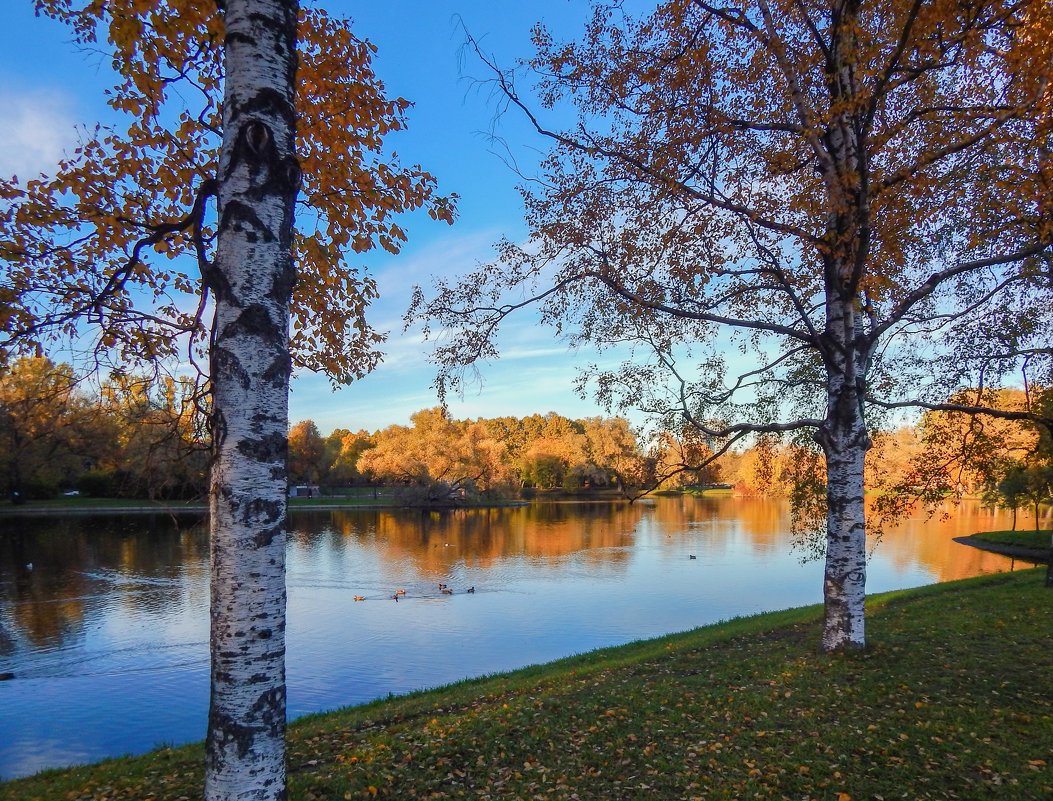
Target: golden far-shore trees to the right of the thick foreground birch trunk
x,y
1007,463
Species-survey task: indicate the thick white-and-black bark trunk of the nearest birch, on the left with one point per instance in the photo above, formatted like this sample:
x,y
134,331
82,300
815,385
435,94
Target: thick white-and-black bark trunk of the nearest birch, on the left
x,y
252,283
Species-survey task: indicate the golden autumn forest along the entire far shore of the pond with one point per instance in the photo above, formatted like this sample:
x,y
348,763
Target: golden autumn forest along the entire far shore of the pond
x,y
145,437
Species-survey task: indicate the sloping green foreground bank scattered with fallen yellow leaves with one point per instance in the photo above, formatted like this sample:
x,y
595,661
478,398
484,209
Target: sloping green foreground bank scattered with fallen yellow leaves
x,y
953,700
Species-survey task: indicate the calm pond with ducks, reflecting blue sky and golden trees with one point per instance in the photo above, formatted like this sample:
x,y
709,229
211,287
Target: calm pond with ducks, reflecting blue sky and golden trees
x,y
107,633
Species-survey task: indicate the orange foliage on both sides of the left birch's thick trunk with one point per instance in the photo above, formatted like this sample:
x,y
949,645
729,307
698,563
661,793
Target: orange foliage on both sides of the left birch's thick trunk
x,y
121,235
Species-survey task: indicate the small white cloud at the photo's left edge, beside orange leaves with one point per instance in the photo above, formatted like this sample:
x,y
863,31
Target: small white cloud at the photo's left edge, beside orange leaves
x,y
35,130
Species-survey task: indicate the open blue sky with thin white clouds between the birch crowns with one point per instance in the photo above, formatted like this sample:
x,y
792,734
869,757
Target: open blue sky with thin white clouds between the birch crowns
x,y
47,87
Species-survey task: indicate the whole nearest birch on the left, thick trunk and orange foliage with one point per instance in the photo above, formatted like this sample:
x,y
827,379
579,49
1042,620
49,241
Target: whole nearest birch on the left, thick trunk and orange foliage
x,y
175,237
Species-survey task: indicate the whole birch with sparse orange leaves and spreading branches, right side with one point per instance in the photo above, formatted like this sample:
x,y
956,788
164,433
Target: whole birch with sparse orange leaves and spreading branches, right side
x,y
781,209
